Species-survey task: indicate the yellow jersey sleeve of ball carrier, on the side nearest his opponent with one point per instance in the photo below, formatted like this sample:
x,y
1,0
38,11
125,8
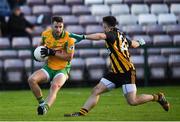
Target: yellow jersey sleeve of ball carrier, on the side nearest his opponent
x,y
70,46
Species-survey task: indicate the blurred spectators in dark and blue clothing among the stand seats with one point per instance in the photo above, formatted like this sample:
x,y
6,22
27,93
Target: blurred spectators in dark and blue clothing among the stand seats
x,y
12,20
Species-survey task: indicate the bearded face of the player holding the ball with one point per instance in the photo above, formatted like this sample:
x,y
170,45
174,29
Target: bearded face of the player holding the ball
x,y
58,27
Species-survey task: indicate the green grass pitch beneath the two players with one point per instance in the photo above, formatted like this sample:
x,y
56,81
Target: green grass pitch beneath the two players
x,y
21,105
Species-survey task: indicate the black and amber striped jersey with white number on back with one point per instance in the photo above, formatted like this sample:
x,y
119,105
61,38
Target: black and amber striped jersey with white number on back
x,y
117,44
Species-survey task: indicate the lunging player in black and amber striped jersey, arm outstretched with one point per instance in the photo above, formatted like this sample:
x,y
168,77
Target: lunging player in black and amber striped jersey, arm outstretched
x,y
122,72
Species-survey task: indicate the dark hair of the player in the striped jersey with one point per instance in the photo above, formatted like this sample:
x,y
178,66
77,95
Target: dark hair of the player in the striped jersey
x,y
110,21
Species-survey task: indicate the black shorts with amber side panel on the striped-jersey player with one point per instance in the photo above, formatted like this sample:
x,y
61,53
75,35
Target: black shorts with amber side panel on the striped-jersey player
x,y
120,79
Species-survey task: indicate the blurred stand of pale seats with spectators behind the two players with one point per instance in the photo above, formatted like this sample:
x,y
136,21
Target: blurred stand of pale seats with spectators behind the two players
x,y
156,21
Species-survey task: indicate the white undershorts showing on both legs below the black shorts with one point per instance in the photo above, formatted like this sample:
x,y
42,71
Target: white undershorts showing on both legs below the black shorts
x,y
127,88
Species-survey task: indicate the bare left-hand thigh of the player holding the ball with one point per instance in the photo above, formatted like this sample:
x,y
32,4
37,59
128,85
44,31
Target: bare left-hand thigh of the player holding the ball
x,y
39,76
